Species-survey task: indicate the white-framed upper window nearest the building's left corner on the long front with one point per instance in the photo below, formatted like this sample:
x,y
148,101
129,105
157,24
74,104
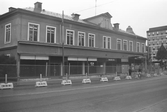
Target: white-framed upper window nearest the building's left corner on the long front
x,y
33,32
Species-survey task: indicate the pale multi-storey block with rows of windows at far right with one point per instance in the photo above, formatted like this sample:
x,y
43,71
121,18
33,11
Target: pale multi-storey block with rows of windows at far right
x,y
156,36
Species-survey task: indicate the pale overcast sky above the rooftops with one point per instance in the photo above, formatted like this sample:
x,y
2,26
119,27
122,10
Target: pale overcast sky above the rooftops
x,y
139,14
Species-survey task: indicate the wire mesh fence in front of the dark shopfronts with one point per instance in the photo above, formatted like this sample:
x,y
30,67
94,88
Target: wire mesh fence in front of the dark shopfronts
x,y
33,71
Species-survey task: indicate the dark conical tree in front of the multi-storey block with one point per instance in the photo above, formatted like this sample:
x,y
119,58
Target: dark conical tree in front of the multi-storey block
x,y
161,54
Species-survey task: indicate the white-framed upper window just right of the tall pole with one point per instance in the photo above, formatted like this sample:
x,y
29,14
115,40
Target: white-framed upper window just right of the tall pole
x,y
70,37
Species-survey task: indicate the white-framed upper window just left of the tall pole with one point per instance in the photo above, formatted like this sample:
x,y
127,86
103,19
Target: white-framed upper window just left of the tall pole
x,y
51,34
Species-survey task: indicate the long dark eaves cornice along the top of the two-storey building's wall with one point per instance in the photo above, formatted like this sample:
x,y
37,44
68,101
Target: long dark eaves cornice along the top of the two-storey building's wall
x,y
94,26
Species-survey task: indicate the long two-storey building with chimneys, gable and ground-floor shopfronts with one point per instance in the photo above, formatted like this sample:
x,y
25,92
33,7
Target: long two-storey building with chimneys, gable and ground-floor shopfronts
x,y
38,39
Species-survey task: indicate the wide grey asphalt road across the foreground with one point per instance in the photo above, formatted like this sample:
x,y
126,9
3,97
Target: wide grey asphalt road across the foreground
x,y
131,96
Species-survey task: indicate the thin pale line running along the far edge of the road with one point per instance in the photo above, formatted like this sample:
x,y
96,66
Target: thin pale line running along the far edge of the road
x,y
66,90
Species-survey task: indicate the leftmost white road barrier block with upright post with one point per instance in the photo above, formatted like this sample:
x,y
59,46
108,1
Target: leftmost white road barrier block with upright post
x,y
6,85
